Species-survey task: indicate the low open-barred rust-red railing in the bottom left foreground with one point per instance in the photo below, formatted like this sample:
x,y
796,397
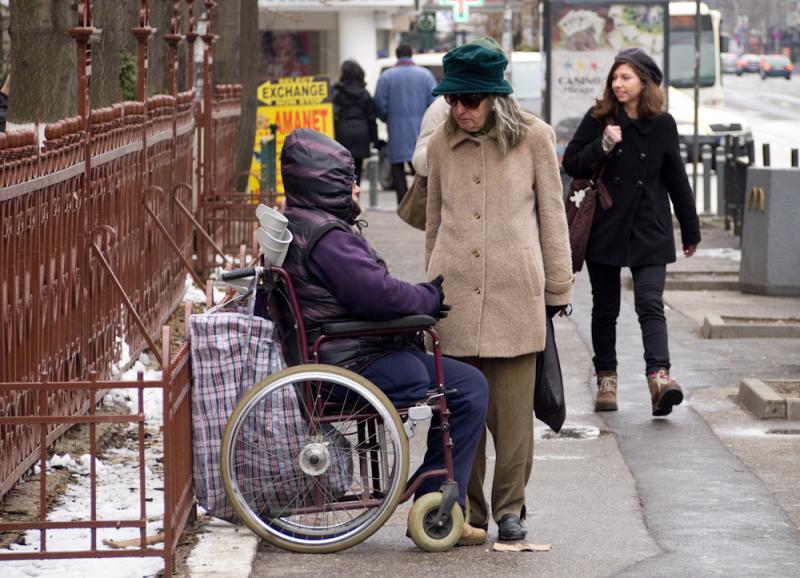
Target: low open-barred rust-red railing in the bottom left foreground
x,y
45,412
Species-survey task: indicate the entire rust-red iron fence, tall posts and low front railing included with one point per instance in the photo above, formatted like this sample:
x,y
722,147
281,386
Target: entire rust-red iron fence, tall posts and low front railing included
x,y
99,226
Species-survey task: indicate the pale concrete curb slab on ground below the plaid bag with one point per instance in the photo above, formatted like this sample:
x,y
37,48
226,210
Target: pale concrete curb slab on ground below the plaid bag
x,y
223,549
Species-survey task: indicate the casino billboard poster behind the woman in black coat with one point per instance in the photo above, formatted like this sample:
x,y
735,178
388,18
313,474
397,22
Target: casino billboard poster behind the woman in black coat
x,y
583,39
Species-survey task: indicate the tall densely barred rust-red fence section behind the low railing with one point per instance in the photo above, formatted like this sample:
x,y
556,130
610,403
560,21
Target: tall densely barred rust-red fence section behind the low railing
x,y
61,316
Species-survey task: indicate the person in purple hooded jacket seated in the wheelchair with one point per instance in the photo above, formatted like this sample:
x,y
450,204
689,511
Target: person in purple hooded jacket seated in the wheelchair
x,y
338,277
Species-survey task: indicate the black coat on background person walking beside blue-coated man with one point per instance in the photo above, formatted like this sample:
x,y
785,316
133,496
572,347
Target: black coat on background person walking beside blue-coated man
x,y
354,119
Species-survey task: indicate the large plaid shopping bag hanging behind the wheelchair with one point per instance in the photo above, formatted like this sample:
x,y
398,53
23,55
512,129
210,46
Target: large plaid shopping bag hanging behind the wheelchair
x,y
233,350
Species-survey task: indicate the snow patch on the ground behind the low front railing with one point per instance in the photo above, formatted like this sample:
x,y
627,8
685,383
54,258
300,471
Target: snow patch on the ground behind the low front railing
x,y
118,496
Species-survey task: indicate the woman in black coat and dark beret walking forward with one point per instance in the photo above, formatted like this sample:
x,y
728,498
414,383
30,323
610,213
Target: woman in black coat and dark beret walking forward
x,y
628,130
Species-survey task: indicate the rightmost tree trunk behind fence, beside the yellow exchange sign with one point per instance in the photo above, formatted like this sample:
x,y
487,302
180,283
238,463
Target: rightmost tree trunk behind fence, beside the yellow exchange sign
x,y
236,24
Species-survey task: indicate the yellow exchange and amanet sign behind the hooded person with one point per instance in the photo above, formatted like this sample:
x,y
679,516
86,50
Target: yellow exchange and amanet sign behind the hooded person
x,y
290,103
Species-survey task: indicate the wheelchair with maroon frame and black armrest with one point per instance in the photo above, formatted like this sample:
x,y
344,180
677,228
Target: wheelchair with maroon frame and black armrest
x,y
331,477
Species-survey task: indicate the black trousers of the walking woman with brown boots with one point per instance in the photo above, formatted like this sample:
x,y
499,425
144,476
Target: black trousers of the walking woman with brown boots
x,y
648,291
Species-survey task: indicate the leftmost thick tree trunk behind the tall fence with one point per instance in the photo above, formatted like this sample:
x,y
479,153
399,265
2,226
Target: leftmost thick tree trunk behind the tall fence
x,y
43,61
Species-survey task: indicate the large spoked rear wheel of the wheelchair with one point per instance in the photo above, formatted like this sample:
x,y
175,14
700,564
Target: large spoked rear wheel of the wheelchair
x,y
314,459
